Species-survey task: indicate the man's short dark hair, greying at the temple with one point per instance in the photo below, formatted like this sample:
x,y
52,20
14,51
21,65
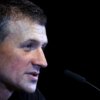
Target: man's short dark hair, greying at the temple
x,y
17,9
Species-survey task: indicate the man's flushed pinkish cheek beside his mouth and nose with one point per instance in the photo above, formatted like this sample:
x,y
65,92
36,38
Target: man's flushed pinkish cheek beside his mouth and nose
x,y
14,65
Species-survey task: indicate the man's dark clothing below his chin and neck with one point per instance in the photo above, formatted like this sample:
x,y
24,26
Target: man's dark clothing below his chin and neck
x,y
27,96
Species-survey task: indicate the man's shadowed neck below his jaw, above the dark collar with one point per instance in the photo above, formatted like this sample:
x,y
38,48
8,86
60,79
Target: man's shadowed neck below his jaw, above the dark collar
x,y
4,92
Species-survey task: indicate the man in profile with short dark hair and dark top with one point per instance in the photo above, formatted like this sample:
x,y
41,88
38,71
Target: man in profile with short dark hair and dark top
x,y
22,37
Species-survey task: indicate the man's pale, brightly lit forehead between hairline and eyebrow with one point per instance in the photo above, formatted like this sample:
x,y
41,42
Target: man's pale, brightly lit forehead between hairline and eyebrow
x,y
23,30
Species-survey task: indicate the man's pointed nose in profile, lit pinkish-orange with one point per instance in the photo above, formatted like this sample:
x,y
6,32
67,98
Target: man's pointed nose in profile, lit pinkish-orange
x,y
39,58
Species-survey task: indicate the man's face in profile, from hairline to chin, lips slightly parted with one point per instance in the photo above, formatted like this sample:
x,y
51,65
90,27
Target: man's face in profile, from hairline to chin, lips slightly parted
x,y
21,55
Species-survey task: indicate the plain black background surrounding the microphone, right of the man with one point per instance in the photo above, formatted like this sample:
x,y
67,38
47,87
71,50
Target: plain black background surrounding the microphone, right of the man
x,y
73,34
